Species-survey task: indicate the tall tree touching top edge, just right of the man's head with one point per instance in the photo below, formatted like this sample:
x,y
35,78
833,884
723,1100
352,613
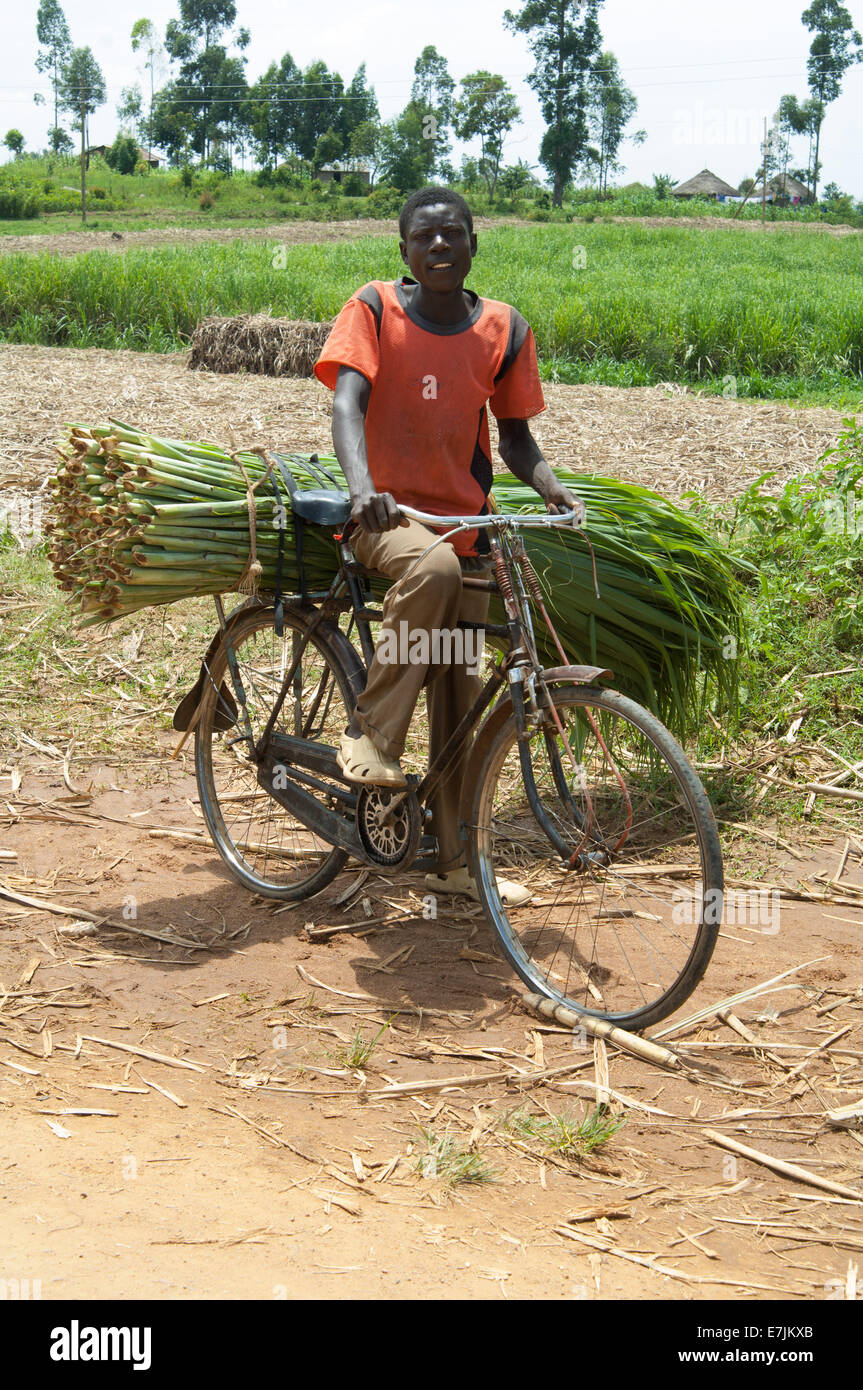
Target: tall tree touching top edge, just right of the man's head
x,y
565,42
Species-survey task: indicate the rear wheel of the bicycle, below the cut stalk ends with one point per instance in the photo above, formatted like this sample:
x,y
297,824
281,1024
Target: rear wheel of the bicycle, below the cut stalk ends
x,y
268,849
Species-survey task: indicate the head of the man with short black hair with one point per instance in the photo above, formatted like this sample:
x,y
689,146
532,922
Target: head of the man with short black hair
x,y
438,241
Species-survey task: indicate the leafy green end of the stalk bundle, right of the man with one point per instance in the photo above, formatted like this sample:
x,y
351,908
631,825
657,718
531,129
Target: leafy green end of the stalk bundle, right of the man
x,y
669,619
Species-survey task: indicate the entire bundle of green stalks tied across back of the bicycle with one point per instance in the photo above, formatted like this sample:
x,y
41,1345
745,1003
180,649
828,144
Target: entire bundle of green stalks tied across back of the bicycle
x,y
144,522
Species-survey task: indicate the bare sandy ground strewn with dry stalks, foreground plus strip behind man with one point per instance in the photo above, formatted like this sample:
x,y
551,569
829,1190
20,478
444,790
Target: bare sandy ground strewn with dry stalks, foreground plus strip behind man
x,y
245,1157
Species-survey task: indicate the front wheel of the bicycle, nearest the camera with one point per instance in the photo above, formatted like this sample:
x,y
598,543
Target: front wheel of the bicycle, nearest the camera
x,y
626,876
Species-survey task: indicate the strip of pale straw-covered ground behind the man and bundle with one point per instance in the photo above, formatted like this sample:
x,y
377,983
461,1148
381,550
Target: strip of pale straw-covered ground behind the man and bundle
x,y
664,437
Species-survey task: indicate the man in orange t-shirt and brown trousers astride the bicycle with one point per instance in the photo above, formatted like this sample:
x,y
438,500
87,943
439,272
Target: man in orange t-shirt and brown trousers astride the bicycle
x,y
413,366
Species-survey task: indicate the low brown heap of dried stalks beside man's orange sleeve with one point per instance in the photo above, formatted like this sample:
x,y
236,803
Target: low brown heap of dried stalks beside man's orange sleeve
x,y
259,344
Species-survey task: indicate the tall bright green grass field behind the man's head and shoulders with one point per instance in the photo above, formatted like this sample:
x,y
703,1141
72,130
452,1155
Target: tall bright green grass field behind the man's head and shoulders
x,y
625,305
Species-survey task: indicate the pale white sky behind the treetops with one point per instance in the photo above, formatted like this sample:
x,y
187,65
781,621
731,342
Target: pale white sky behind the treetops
x,y
705,76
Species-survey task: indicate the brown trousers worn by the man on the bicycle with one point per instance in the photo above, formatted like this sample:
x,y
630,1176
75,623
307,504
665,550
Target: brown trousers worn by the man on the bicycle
x,y
430,598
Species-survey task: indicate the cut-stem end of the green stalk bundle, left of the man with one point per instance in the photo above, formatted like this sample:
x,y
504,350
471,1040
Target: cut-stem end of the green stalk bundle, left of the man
x,y
144,522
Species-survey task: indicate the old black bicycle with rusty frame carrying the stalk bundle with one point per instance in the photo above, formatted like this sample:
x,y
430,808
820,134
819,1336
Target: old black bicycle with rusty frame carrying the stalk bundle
x,y
573,789
